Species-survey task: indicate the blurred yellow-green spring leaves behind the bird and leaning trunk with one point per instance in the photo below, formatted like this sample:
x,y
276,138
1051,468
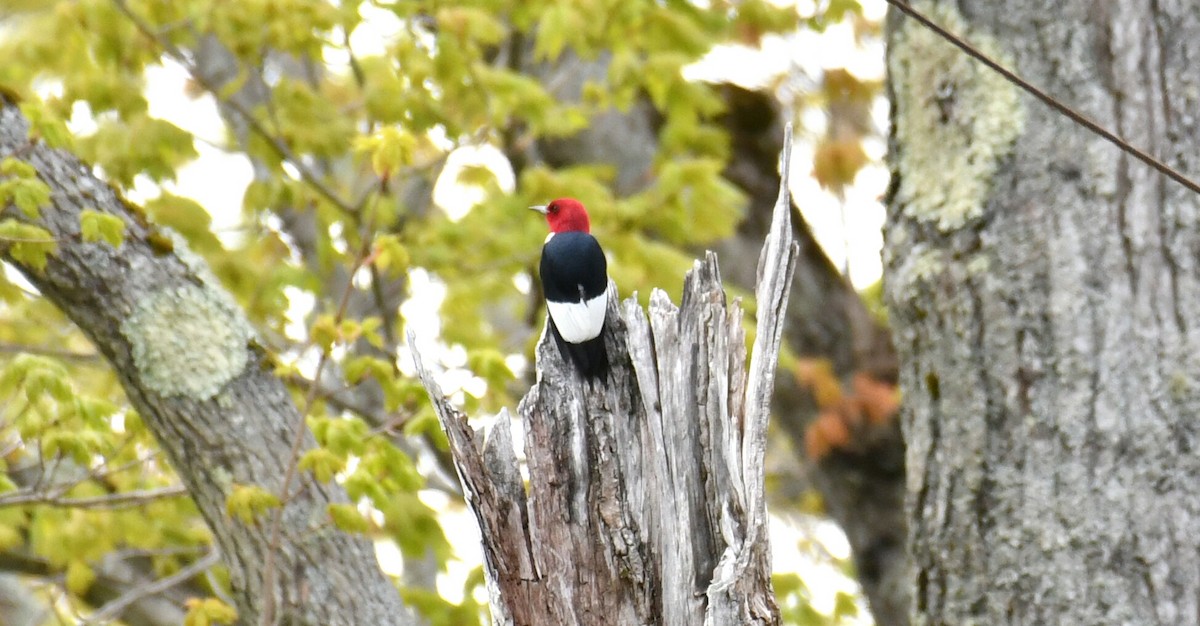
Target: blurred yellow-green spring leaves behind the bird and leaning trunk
x,y
346,148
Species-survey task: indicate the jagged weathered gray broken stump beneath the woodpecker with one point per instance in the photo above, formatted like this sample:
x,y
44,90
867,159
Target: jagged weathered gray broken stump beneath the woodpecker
x,y
646,495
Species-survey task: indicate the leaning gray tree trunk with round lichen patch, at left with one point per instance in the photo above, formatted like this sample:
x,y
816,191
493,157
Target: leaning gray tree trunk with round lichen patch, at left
x,y
190,366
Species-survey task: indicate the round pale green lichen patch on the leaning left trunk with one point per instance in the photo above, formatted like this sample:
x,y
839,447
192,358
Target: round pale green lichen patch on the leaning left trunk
x,y
188,341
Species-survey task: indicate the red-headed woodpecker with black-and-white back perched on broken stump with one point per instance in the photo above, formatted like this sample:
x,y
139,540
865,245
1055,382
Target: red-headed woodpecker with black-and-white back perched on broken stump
x,y
575,282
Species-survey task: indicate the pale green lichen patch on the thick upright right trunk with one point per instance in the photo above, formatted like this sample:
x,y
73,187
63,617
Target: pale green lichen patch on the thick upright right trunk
x,y
956,119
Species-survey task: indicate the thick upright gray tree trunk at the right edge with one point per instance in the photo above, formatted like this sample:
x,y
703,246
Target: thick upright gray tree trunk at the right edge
x,y
1045,291
